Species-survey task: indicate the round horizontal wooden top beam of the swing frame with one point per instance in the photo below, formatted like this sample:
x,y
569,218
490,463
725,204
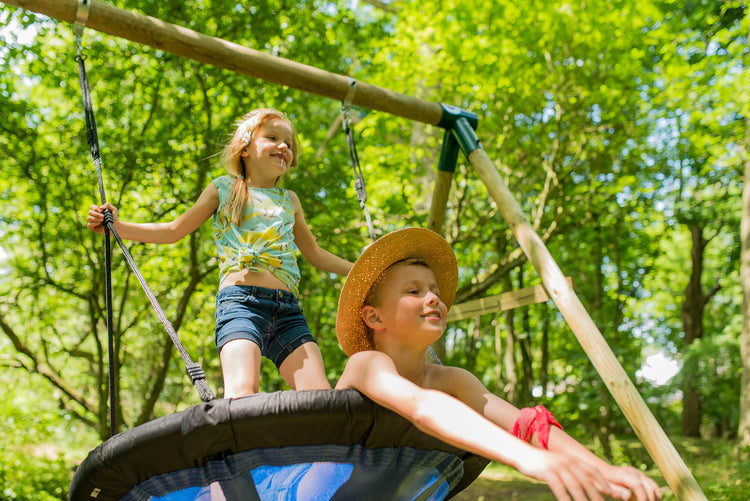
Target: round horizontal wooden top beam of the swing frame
x,y
220,53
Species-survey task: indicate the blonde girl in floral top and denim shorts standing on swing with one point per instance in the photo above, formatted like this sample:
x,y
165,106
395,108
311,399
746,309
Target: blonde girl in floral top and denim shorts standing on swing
x,y
257,228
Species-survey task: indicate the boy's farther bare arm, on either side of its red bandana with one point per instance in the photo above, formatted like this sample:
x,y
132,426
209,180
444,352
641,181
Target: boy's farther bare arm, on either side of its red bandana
x,y
466,387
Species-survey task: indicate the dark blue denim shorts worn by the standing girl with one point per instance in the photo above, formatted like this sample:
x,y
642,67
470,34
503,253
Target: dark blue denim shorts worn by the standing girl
x,y
271,318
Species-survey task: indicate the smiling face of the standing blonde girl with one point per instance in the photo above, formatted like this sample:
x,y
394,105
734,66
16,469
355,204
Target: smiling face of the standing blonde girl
x,y
269,154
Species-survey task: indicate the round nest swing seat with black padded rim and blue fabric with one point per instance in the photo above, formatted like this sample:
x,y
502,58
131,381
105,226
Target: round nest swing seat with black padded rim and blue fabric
x,y
313,445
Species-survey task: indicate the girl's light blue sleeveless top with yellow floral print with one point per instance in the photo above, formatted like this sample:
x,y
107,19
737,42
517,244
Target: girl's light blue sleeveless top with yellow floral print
x,y
265,239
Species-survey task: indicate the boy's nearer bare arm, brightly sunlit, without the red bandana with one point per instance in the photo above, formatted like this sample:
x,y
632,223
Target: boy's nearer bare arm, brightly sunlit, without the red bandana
x,y
450,420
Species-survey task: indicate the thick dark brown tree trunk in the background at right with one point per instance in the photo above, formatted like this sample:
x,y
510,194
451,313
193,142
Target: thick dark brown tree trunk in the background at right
x,y
692,324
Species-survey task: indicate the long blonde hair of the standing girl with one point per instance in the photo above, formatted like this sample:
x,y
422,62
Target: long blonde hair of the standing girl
x,y
235,164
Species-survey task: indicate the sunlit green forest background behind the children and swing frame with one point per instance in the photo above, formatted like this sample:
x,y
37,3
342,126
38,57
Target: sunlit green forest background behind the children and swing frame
x,y
622,128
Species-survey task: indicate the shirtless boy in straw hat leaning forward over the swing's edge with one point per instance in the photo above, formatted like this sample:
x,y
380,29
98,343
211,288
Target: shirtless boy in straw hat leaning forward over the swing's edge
x,y
392,307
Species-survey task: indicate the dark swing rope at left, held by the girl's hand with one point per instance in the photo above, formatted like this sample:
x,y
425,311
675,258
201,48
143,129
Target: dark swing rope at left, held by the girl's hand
x,y
193,369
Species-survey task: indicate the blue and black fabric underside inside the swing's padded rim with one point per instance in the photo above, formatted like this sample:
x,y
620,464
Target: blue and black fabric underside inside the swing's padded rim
x,y
330,472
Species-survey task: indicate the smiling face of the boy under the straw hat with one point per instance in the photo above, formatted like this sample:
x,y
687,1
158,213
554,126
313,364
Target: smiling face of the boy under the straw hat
x,y
408,300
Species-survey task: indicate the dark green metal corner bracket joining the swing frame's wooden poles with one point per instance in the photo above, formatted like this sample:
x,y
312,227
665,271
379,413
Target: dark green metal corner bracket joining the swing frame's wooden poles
x,y
459,128
